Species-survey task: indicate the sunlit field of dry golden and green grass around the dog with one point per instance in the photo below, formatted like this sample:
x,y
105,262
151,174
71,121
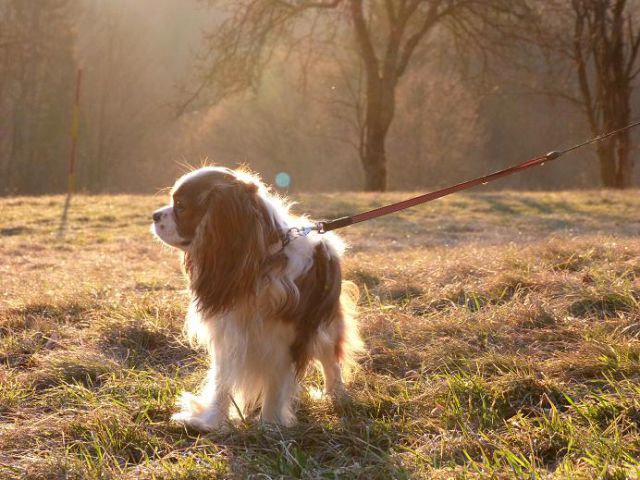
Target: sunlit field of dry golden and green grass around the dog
x,y
502,332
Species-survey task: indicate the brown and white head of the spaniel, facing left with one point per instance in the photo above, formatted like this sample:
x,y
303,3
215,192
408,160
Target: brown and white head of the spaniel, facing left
x,y
219,218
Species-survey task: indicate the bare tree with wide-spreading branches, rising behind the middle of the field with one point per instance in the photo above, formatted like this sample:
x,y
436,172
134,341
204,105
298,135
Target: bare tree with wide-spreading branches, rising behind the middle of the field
x,y
387,34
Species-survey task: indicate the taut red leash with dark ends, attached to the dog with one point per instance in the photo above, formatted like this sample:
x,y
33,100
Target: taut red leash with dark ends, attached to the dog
x,y
326,226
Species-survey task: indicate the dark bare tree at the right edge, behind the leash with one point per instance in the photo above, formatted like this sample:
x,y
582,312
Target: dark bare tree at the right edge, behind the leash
x,y
591,49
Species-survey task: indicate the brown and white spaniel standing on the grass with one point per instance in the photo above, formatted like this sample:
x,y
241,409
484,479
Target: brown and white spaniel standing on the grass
x,y
264,303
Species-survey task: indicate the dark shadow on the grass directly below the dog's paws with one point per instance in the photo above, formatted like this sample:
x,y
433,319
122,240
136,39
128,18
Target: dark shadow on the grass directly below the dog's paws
x,y
353,446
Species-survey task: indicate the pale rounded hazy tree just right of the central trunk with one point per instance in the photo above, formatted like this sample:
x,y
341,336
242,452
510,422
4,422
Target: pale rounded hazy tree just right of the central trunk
x,y
438,129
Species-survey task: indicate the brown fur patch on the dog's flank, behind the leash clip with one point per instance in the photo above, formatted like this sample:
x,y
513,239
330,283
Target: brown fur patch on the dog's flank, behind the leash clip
x,y
319,303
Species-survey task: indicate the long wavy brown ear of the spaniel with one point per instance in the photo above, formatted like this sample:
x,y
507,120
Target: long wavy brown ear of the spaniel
x,y
230,247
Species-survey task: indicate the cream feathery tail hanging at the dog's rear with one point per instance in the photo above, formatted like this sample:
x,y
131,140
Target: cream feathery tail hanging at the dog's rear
x,y
350,346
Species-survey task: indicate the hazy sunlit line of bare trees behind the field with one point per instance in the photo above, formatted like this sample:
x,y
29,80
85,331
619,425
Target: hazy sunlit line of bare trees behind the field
x,y
400,94
